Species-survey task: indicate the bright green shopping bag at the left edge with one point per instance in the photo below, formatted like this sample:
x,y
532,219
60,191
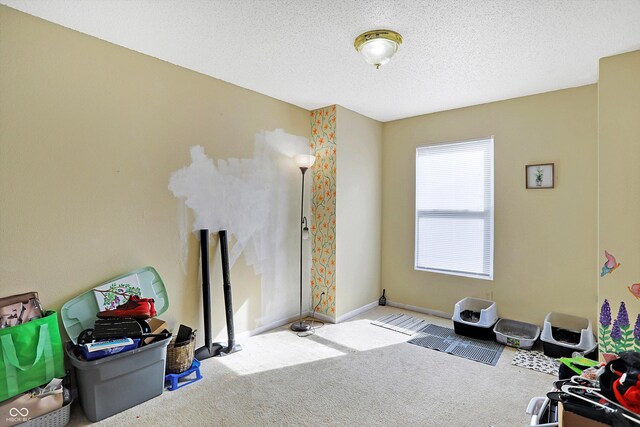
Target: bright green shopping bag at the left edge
x,y
31,355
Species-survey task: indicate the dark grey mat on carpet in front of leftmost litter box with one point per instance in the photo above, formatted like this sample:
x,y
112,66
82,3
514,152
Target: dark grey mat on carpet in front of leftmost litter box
x,y
446,340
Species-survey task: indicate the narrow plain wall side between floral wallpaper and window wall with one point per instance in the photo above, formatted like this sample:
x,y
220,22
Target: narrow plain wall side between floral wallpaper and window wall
x,y
358,222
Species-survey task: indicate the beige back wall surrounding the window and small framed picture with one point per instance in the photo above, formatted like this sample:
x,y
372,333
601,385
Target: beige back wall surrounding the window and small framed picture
x,y
544,239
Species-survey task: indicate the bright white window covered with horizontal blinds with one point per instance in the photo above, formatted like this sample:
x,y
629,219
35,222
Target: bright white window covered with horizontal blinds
x,y
454,208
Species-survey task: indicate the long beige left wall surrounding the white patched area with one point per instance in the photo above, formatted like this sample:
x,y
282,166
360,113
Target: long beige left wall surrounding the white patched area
x,y
89,135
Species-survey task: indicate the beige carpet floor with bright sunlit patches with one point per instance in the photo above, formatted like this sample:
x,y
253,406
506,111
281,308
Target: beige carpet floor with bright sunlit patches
x,y
350,374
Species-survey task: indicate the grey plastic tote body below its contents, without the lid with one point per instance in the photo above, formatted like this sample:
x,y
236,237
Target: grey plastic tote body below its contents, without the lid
x,y
115,383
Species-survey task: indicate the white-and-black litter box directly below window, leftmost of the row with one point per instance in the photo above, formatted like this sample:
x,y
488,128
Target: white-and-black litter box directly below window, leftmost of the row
x,y
475,318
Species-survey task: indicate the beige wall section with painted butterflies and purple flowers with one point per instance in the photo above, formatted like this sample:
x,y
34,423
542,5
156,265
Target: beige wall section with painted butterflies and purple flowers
x,y
619,183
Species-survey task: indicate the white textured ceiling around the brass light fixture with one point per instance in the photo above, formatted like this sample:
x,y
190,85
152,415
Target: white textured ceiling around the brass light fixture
x,y
455,52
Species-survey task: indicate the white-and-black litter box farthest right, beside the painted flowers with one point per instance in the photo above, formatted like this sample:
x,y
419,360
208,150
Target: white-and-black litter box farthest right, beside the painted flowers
x,y
562,334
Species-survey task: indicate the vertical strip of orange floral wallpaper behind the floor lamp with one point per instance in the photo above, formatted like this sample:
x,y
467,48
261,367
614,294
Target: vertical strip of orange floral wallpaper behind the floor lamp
x,y
323,210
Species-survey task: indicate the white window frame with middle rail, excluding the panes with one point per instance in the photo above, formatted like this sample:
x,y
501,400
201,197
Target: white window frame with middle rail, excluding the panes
x,y
487,215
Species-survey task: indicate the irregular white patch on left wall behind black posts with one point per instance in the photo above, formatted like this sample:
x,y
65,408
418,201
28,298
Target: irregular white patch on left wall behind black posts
x,y
250,199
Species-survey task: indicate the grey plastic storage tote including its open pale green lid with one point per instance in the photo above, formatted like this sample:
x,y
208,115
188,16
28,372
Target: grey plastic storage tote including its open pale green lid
x,y
118,382
